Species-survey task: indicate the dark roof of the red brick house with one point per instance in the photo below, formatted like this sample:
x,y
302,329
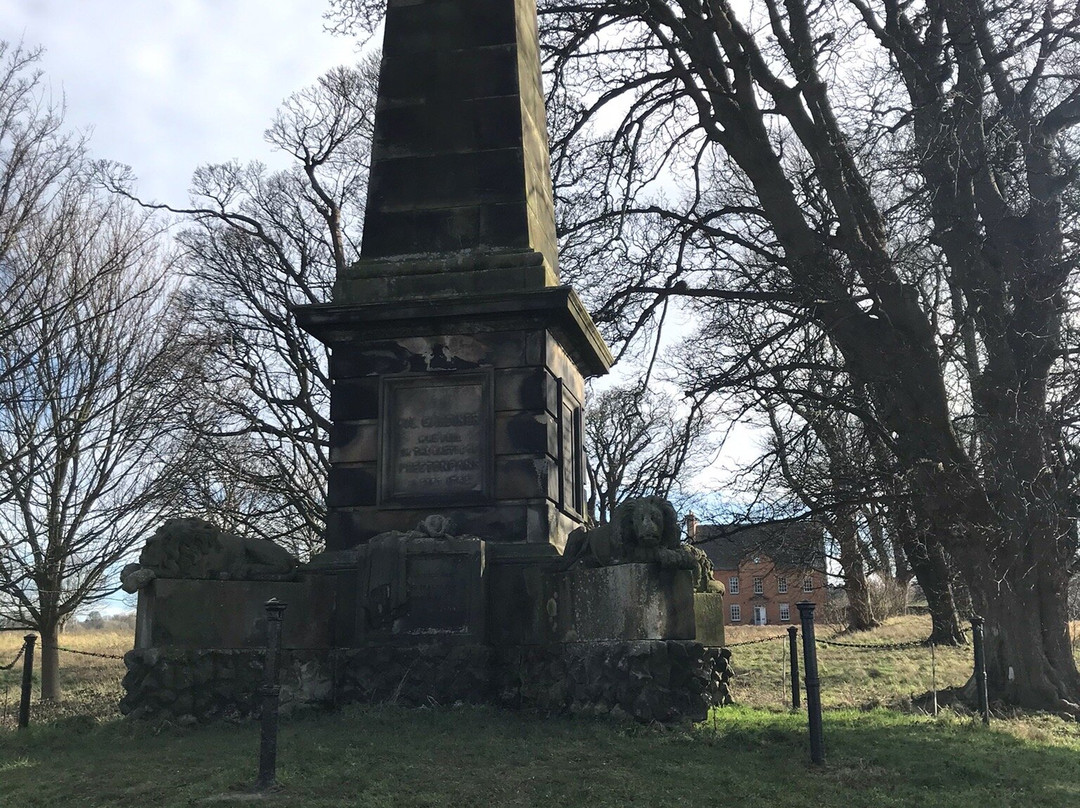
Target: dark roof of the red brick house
x,y
799,545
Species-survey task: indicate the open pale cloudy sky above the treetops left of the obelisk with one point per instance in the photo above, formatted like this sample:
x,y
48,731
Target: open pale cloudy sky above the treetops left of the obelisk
x,y
166,86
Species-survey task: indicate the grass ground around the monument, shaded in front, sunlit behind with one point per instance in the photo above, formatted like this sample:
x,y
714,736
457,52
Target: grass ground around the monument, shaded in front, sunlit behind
x,y
881,751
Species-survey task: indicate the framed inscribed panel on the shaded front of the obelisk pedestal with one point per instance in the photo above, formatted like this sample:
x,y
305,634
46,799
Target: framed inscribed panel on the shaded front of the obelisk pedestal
x,y
436,439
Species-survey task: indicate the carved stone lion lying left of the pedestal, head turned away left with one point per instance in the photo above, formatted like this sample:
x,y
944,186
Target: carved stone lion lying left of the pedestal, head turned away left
x,y
194,548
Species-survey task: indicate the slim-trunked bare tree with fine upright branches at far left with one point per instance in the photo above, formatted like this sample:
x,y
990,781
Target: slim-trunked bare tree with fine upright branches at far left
x,y
90,371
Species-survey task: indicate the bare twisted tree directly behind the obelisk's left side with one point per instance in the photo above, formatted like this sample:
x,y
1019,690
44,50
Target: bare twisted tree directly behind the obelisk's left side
x,y
260,244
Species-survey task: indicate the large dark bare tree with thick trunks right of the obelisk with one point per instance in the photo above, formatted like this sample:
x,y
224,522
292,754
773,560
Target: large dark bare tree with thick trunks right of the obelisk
x,y
895,177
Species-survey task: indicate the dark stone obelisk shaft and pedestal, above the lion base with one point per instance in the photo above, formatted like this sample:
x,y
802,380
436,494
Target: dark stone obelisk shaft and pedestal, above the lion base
x,y
457,359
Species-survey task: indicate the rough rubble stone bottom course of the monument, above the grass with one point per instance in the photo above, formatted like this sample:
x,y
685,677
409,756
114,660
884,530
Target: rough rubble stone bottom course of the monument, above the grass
x,y
664,681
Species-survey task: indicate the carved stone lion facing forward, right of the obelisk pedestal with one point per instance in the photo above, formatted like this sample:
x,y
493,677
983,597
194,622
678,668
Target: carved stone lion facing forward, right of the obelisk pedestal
x,y
645,530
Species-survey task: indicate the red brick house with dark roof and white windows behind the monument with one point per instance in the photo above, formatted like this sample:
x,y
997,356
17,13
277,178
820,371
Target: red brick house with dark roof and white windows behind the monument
x,y
765,570
